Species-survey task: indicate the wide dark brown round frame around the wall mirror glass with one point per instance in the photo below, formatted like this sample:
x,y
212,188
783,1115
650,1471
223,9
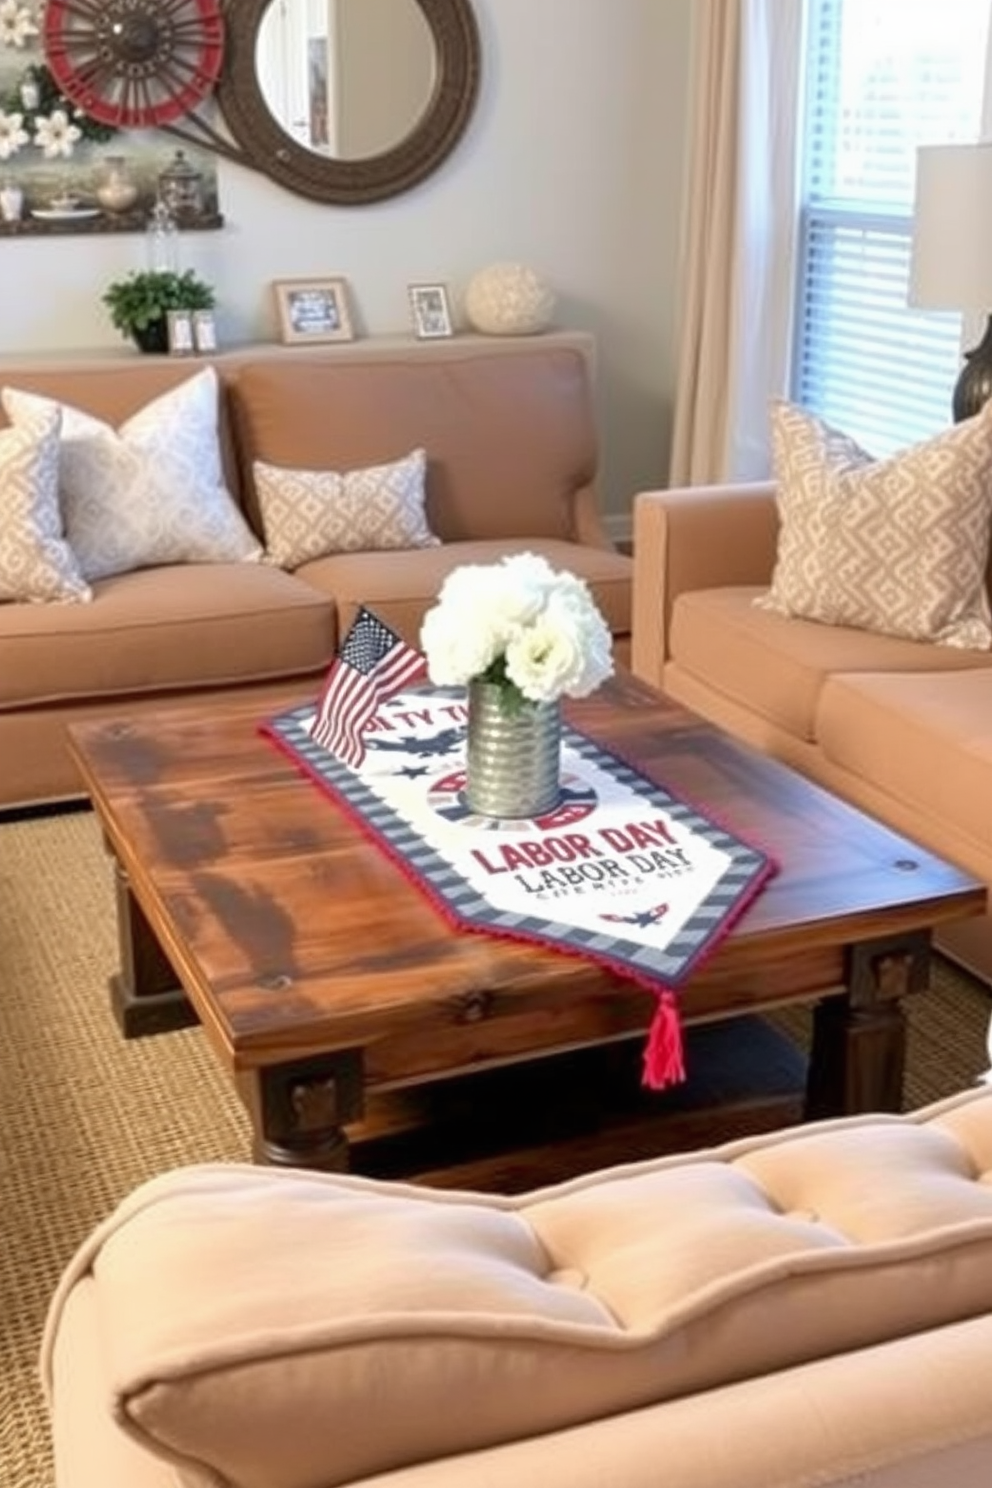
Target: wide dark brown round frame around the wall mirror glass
x,y
268,148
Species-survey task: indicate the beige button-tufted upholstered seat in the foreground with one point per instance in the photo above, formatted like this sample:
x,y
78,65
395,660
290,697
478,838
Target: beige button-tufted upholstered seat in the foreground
x,y
802,1309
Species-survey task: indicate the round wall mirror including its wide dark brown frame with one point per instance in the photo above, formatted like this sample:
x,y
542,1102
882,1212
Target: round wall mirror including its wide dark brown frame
x,y
350,100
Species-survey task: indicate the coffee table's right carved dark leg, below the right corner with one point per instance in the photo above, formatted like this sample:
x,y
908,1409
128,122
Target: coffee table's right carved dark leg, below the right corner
x,y
859,1047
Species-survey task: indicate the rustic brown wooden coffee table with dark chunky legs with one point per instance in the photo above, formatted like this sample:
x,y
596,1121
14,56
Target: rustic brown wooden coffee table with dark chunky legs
x,y
353,1020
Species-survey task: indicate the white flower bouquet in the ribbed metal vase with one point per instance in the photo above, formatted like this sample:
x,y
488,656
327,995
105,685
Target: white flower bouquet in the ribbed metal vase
x,y
520,624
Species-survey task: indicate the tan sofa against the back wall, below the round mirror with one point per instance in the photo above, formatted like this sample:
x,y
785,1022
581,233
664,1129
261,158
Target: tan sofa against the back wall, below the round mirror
x,y
511,437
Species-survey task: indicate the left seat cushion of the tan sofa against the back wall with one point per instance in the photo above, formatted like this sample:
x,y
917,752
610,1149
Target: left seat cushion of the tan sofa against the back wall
x,y
163,630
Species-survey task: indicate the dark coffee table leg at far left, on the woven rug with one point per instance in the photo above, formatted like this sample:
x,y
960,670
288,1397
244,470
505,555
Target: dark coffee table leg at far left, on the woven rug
x,y
145,995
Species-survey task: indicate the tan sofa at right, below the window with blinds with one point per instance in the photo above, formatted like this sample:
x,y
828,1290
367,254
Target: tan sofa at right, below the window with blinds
x,y
901,728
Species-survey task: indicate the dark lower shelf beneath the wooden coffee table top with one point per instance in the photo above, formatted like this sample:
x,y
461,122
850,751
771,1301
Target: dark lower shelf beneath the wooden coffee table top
x,y
547,1121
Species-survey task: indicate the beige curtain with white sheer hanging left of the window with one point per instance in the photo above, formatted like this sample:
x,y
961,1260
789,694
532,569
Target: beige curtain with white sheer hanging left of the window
x,y
740,237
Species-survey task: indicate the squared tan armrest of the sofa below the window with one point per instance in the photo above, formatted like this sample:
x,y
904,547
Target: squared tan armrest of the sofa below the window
x,y
695,538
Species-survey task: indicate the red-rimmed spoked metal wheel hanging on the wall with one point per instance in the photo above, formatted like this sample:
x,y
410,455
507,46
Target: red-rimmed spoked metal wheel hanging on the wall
x,y
135,65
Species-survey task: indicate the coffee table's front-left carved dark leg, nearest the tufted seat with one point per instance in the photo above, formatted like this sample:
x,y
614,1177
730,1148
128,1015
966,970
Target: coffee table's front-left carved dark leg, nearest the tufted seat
x,y
300,1109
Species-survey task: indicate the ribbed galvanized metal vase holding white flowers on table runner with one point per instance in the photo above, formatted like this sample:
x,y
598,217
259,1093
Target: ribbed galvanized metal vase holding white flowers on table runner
x,y
514,757
